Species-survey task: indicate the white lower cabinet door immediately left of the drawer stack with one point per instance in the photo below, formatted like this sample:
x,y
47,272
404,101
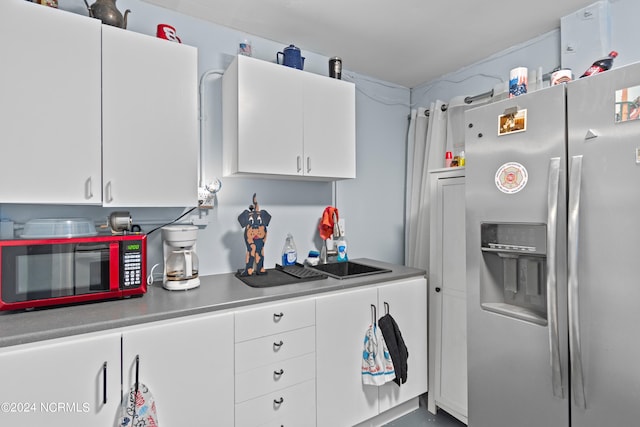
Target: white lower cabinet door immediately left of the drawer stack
x,y
187,366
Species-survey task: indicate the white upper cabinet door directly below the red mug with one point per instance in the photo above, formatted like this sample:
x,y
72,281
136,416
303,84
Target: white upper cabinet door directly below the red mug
x,y
150,120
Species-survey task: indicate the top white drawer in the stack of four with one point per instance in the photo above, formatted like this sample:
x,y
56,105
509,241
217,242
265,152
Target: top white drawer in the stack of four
x,y
274,318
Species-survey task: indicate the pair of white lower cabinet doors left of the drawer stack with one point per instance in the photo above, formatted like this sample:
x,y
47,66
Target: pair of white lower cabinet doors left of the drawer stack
x,y
187,364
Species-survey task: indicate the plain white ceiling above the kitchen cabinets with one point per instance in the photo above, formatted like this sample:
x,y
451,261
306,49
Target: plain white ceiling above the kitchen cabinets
x,y
407,42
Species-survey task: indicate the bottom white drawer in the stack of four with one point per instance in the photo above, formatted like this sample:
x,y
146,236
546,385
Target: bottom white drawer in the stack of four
x,y
297,408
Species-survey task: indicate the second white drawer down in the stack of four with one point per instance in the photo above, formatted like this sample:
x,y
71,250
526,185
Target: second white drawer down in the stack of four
x,y
274,348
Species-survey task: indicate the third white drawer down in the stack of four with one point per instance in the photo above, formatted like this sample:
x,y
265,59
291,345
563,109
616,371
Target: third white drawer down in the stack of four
x,y
276,376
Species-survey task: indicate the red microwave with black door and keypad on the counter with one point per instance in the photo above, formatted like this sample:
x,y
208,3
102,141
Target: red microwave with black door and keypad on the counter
x,y
53,271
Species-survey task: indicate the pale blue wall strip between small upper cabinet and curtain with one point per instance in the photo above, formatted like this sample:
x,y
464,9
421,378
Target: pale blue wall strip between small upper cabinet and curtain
x,y
373,204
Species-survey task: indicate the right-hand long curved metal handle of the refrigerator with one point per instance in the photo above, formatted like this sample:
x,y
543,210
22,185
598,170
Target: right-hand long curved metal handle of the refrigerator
x,y
575,348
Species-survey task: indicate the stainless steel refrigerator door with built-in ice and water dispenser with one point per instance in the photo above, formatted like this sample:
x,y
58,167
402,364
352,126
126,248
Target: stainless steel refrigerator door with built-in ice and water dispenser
x,y
510,351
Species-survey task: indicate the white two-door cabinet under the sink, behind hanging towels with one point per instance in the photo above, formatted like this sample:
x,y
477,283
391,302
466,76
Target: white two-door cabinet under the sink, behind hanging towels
x,y
341,322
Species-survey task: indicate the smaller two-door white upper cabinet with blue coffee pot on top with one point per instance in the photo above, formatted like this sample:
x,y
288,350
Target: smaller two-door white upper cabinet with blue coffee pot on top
x,y
283,122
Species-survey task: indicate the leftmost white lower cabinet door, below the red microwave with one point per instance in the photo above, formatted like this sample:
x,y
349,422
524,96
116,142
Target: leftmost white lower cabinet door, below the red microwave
x,y
63,382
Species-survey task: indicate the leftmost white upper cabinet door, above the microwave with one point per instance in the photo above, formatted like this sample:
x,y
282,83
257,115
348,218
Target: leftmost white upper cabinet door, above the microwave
x,y
49,105
